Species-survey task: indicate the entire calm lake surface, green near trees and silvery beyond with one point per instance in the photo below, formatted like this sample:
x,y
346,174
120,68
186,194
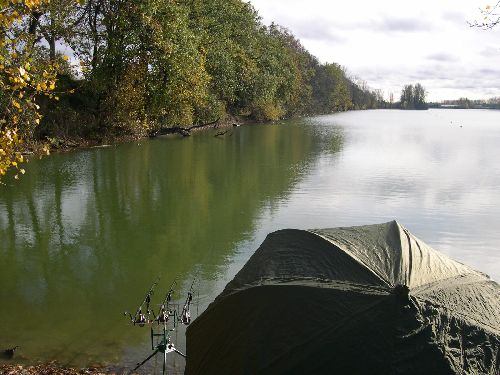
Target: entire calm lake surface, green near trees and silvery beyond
x,y
83,235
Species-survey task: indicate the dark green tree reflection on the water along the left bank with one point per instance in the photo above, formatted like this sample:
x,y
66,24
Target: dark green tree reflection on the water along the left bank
x,y
83,235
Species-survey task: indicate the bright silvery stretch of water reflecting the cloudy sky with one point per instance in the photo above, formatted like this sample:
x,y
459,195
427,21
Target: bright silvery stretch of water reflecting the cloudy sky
x,y
435,171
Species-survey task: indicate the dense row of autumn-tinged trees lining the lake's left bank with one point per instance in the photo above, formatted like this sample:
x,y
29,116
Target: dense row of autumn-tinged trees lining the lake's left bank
x,y
146,64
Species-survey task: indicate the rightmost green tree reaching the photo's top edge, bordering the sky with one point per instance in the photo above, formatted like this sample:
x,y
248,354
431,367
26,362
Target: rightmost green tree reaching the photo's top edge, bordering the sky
x,y
229,34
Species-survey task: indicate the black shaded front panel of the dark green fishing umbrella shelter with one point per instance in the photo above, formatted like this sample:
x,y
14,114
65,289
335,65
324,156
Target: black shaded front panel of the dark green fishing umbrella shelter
x,y
299,330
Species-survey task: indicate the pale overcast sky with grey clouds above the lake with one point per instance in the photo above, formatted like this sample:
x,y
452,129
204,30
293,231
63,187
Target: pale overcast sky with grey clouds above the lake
x,y
390,43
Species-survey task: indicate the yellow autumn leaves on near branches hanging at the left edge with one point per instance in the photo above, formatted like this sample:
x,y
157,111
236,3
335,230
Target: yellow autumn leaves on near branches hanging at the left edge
x,y
21,81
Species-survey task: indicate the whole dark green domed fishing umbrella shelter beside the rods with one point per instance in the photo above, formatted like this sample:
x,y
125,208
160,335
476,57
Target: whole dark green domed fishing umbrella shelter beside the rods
x,y
361,300
